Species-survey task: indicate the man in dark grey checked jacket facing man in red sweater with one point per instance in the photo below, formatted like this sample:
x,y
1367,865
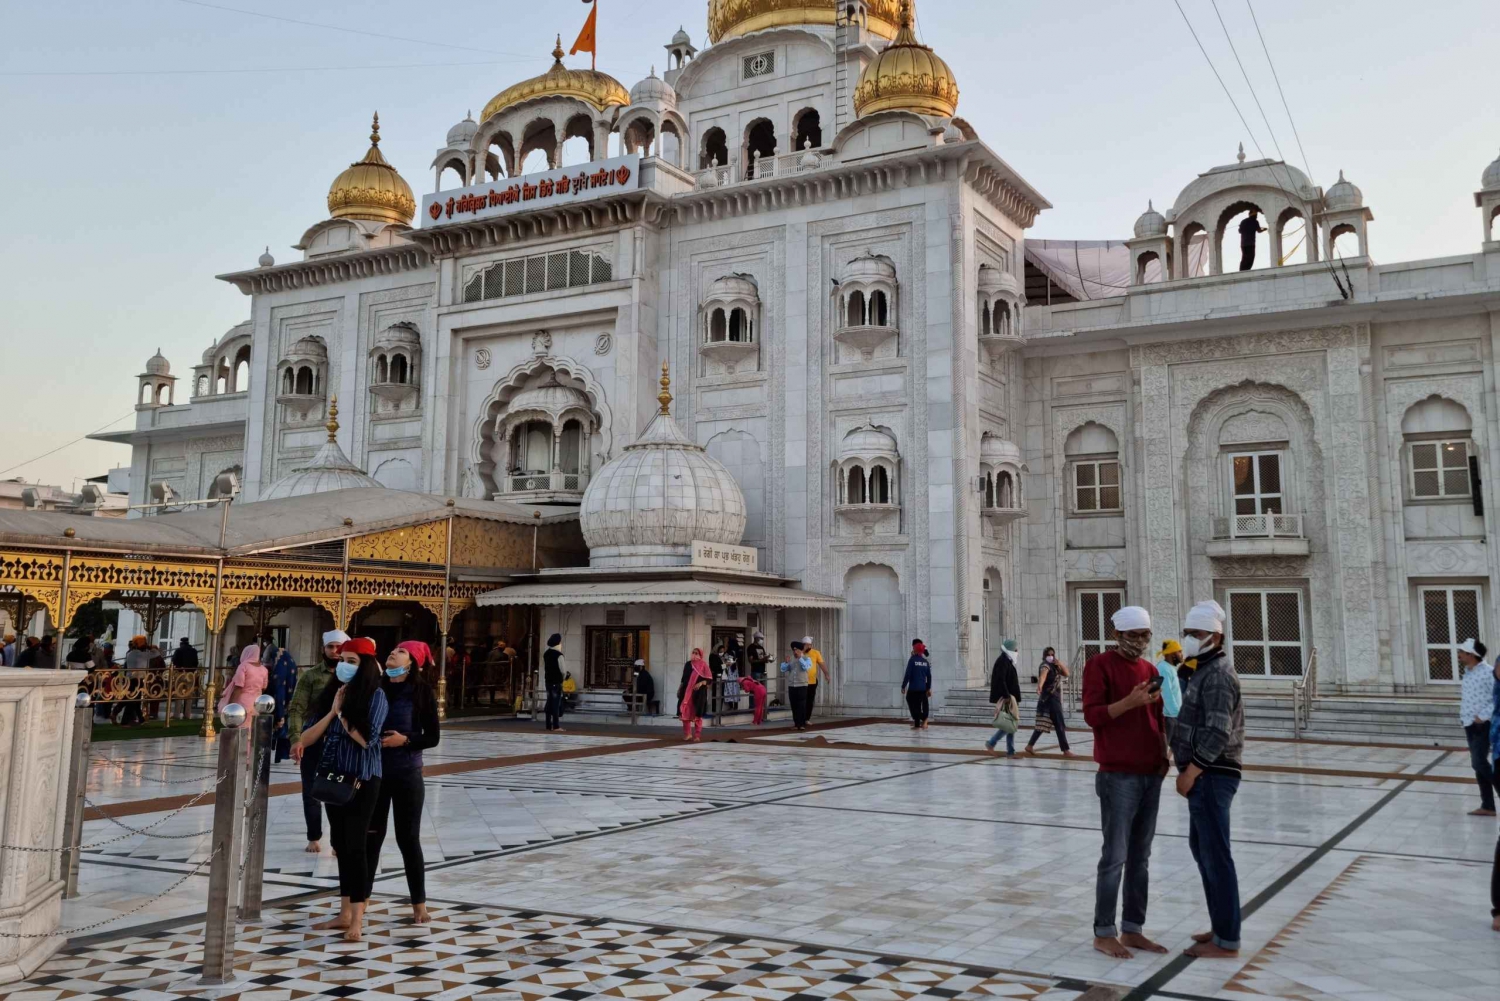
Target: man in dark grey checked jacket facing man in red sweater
x,y
1208,747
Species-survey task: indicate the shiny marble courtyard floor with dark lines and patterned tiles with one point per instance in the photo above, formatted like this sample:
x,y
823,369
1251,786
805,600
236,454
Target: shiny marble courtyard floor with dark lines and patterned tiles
x,y
862,864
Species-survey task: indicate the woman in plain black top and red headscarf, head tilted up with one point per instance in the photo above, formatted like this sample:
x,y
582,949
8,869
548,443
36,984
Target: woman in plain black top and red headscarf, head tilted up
x,y
412,727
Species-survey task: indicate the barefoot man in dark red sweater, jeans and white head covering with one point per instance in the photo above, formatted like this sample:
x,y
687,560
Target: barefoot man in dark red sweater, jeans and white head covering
x,y
1123,706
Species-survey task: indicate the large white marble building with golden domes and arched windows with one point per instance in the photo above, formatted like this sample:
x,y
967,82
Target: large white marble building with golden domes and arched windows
x,y
926,416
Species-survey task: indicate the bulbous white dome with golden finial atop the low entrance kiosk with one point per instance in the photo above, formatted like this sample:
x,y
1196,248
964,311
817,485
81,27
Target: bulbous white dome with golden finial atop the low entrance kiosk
x,y
661,494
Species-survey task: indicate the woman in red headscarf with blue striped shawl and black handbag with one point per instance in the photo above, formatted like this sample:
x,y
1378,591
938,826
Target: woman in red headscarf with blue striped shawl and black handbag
x,y
353,723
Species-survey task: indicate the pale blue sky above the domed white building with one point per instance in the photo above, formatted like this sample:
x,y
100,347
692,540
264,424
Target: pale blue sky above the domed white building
x,y
130,191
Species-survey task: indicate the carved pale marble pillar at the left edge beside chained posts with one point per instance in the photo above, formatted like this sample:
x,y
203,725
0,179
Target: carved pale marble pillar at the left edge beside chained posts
x,y
37,727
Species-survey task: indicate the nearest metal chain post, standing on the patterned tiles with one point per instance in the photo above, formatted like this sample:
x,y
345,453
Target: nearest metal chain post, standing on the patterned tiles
x,y
224,871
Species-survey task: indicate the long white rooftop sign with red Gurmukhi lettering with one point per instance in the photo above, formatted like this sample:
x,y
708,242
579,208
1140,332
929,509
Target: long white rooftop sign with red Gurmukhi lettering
x,y
550,188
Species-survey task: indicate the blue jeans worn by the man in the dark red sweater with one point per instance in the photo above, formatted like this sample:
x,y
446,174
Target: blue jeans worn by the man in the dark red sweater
x,y
1129,817
